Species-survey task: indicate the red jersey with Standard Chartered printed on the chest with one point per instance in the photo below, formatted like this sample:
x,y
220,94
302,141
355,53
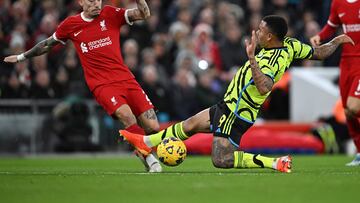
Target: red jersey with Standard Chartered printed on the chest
x,y
97,42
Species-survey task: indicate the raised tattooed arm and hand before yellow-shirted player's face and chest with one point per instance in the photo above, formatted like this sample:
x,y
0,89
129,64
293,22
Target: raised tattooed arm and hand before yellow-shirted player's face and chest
x,y
262,82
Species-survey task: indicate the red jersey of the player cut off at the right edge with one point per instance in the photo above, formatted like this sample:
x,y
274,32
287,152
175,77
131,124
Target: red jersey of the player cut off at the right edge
x,y
345,13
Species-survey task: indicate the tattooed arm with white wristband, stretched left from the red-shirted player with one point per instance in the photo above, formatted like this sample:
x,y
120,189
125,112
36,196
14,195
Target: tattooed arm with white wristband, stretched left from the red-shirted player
x,y
39,49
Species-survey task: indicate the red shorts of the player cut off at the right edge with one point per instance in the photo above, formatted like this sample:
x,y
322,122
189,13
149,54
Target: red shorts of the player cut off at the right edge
x,y
349,78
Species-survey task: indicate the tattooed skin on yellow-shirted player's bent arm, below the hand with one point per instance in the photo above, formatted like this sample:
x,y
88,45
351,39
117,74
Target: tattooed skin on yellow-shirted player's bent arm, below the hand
x,y
262,82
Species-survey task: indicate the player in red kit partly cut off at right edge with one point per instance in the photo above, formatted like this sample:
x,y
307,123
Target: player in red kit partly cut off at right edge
x,y
346,14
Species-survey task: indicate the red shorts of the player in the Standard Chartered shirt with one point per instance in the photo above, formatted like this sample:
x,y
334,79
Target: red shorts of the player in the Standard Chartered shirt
x,y
114,95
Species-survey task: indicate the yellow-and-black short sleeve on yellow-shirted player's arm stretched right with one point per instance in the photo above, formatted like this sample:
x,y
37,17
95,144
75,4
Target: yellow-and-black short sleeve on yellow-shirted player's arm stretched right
x,y
301,50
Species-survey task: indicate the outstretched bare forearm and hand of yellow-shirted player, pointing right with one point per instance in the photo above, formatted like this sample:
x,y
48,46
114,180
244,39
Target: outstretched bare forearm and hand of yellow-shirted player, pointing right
x,y
325,50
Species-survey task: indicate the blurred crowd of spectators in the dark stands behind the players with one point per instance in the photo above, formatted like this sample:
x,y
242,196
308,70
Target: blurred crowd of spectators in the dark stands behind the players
x,y
183,56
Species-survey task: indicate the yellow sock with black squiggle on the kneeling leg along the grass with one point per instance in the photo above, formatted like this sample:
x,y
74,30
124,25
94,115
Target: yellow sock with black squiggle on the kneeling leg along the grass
x,y
247,160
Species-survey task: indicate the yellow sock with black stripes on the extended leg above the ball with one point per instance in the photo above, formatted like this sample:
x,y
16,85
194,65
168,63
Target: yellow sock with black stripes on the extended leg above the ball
x,y
175,130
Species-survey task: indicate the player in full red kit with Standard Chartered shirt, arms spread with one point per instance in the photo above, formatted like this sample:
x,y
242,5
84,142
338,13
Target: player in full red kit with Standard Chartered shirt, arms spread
x,y
95,33
